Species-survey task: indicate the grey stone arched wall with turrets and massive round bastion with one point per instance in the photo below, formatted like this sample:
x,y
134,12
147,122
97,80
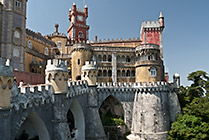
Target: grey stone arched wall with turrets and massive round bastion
x,y
62,110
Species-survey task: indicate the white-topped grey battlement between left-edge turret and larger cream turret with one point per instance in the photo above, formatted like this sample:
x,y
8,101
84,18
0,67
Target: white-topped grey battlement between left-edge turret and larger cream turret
x,y
31,96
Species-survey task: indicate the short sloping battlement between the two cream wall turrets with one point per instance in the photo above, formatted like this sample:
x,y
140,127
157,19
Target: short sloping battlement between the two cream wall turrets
x,y
76,88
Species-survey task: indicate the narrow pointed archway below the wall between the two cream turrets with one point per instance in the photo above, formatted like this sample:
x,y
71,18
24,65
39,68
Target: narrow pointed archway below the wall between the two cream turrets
x,y
75,119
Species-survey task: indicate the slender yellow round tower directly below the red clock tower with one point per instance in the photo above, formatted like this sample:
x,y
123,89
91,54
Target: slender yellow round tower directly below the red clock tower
x,y
80,53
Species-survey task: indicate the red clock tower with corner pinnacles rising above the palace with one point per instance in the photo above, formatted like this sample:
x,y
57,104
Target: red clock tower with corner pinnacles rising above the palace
x,y
78,30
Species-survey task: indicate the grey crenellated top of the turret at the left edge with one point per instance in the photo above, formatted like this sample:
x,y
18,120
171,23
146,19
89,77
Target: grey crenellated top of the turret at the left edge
x,y
6,68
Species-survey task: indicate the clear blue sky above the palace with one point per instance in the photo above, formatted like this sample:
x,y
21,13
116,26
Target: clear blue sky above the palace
x,y
185,38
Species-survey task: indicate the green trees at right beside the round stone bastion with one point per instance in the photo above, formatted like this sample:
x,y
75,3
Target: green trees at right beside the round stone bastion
x,y
193,124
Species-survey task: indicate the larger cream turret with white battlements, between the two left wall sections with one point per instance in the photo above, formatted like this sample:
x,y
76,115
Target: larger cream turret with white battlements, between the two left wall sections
x,y
57,75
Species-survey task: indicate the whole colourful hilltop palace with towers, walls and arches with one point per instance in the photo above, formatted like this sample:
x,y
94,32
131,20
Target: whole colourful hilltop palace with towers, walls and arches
x,y
67,82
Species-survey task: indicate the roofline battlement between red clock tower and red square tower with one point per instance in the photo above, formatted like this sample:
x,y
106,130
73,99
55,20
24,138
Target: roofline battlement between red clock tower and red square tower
x,y
125,40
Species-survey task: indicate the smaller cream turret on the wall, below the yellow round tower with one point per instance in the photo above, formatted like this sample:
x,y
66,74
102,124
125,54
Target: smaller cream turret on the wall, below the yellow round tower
x,y
90,72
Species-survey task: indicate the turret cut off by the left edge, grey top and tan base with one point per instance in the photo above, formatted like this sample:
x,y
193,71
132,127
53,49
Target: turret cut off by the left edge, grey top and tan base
x,y
6,82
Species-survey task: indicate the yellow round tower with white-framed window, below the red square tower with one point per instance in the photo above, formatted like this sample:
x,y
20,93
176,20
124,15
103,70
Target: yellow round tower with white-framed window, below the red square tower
x,y
149,65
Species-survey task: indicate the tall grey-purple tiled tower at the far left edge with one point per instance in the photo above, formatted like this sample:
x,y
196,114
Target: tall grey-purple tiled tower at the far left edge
x,y
13,15
